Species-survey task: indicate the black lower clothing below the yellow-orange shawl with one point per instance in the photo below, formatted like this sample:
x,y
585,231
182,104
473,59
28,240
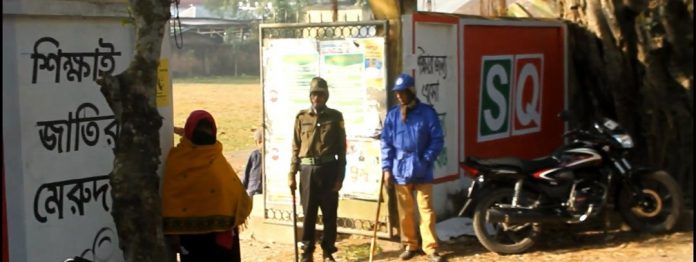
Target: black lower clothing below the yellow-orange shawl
x,y
203,247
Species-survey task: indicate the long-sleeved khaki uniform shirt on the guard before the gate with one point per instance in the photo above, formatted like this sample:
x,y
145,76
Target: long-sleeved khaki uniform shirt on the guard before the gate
x,y
320,134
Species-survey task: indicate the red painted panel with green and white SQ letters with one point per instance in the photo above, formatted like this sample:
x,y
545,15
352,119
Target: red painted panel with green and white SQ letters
x,y
514,88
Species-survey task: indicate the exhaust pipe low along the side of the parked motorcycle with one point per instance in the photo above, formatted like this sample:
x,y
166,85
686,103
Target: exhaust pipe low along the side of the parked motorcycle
x,y
520,216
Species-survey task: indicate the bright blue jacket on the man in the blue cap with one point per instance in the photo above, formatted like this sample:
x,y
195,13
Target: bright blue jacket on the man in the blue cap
x,y
409,149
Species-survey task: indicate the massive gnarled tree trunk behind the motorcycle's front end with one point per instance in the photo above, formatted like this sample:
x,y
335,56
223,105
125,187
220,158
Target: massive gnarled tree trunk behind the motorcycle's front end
x,y
631,60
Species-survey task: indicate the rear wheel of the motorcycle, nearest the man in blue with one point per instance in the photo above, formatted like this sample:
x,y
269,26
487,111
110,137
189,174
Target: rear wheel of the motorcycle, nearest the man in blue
x,y
502,238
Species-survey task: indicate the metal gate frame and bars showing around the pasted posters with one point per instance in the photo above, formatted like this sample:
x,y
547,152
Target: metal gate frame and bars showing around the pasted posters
x,y
355,216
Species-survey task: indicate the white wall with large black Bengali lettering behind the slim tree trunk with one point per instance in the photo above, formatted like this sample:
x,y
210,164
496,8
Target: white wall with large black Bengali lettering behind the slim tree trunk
x,y
58,131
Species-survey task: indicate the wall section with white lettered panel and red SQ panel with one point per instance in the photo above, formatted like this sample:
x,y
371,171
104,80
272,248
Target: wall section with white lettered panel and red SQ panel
x,y
496,84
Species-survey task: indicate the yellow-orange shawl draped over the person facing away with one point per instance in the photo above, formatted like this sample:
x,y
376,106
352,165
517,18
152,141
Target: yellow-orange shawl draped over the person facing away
x,y
201,193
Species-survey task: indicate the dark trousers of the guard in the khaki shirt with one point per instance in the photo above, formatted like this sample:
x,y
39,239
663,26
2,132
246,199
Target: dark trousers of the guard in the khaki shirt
x,y
316,191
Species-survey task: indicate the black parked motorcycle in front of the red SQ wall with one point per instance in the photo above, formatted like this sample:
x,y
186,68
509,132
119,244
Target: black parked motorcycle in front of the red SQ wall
x,y
512,199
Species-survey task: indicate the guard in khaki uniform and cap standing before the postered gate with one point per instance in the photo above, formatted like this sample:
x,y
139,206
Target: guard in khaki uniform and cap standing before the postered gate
x,y
319,153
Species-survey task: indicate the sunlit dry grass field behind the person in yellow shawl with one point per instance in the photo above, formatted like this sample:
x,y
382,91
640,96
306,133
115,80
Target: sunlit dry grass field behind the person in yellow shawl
x,y
235,103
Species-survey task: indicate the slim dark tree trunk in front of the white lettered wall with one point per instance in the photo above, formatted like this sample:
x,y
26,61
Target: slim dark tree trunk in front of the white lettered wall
x,y
134,180
